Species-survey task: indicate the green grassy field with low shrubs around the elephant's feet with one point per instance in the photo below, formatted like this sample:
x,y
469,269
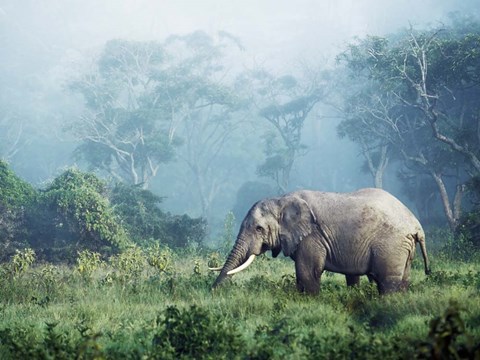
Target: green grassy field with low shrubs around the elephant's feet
x,y
158,305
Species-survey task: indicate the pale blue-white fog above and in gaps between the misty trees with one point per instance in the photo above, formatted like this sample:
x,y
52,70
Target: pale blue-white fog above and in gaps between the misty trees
x,y
44,45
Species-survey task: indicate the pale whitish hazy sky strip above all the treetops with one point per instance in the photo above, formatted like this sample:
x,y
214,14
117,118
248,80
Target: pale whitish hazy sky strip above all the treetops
x,y
274,30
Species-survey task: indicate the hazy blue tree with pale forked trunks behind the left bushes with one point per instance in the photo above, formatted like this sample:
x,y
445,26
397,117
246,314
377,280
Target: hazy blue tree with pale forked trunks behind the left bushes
x,y
123,130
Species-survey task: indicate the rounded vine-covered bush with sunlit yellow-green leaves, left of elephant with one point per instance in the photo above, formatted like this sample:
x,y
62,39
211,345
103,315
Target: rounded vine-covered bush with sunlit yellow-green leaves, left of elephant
x,y
77,215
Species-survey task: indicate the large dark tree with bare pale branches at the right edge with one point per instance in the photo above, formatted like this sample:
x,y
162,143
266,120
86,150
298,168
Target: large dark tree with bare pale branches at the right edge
x,y
428,81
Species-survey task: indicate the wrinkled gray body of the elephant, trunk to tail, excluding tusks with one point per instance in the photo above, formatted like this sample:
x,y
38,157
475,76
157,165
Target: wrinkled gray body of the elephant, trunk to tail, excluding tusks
x,y
367,232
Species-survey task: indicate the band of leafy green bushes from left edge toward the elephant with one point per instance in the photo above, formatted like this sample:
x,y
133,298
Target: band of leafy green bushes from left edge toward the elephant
x,y
78,211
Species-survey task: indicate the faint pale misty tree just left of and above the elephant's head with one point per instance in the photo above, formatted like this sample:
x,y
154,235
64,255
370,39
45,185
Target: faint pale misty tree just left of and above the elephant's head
x,y
199,91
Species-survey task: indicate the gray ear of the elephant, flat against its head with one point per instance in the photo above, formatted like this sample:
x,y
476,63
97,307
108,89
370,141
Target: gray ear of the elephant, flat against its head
x,y
297,221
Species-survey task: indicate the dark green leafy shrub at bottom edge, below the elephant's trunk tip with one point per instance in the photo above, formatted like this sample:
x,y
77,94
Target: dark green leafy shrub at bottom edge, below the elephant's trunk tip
x,y
195,332
